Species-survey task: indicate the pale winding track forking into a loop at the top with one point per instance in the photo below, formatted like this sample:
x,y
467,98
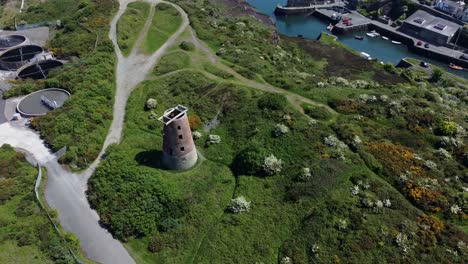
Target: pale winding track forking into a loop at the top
x,y
66,191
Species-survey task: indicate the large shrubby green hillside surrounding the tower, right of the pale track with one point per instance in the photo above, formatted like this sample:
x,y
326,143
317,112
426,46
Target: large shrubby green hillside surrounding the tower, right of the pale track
x,y
383,180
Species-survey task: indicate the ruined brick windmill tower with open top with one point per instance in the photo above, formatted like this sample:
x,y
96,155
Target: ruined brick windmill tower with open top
x,y
179,152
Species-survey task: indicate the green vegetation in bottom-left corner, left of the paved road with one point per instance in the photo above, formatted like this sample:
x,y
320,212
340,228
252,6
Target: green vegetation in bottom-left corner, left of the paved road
x,y
26,234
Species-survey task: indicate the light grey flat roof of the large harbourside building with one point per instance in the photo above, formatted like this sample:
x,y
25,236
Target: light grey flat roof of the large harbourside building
x,y
439,25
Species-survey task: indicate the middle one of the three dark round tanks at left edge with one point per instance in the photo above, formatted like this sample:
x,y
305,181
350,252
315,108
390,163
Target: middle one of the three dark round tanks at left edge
x,y
17,57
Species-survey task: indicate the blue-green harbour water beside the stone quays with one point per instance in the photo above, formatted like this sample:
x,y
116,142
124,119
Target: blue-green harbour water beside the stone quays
x,y
311,27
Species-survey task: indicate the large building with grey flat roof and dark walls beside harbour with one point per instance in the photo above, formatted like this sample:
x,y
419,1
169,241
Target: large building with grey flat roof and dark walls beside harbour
x,y
429,28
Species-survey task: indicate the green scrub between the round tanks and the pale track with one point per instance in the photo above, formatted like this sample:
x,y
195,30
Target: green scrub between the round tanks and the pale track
x,y
81,124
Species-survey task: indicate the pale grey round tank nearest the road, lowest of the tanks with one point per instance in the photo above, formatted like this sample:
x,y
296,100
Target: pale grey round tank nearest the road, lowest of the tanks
x,y
42,102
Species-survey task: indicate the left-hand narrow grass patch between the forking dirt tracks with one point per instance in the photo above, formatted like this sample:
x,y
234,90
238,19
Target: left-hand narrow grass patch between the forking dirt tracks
x,y
130,25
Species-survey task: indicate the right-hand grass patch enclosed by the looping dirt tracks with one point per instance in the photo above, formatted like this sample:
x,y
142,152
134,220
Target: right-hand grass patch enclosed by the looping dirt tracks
x,y
166,21
